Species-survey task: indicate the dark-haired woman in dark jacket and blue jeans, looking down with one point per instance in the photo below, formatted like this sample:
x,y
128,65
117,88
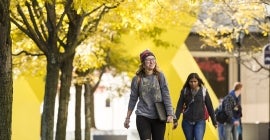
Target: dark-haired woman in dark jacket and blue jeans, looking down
x,y
192,103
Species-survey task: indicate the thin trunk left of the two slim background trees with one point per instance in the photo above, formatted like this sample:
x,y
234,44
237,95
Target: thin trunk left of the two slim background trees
x,y
78,131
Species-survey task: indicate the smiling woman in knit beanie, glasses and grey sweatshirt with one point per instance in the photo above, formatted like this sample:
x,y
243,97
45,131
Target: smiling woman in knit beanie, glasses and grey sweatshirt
x,y
148,81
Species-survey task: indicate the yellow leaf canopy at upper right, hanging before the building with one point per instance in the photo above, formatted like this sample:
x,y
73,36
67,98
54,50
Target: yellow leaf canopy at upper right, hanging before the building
x,y
219,24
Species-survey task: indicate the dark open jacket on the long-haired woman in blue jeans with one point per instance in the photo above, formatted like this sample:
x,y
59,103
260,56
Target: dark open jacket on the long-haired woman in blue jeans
x,y
193,109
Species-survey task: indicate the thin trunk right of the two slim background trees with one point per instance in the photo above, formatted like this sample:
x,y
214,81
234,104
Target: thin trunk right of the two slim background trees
x,y
87,96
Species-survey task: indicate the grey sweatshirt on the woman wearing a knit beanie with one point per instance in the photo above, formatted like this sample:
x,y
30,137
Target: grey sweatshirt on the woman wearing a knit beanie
x,y
146,94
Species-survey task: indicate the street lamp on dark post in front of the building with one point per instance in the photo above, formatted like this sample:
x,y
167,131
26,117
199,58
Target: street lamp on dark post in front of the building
x,y
239,42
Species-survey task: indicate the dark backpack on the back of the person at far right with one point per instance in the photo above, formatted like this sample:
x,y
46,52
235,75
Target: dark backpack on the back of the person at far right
x,y
220,113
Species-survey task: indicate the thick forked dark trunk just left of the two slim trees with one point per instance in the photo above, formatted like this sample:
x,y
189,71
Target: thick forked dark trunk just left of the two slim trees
x,y
75,23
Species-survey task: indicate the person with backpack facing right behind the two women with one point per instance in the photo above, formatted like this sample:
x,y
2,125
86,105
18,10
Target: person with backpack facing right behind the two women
x,y
233,109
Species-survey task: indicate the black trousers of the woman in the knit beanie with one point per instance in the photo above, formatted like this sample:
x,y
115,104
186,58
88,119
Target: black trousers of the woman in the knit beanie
x,y
150,129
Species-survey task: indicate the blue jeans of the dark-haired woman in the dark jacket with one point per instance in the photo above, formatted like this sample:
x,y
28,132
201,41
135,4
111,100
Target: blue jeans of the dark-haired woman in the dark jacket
x,y
193,130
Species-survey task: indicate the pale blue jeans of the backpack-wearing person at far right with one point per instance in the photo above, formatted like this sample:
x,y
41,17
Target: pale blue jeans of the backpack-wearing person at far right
x,y
231,132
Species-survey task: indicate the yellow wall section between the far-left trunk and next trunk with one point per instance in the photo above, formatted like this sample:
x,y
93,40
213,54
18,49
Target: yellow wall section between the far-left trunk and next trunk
x,y
27,97
